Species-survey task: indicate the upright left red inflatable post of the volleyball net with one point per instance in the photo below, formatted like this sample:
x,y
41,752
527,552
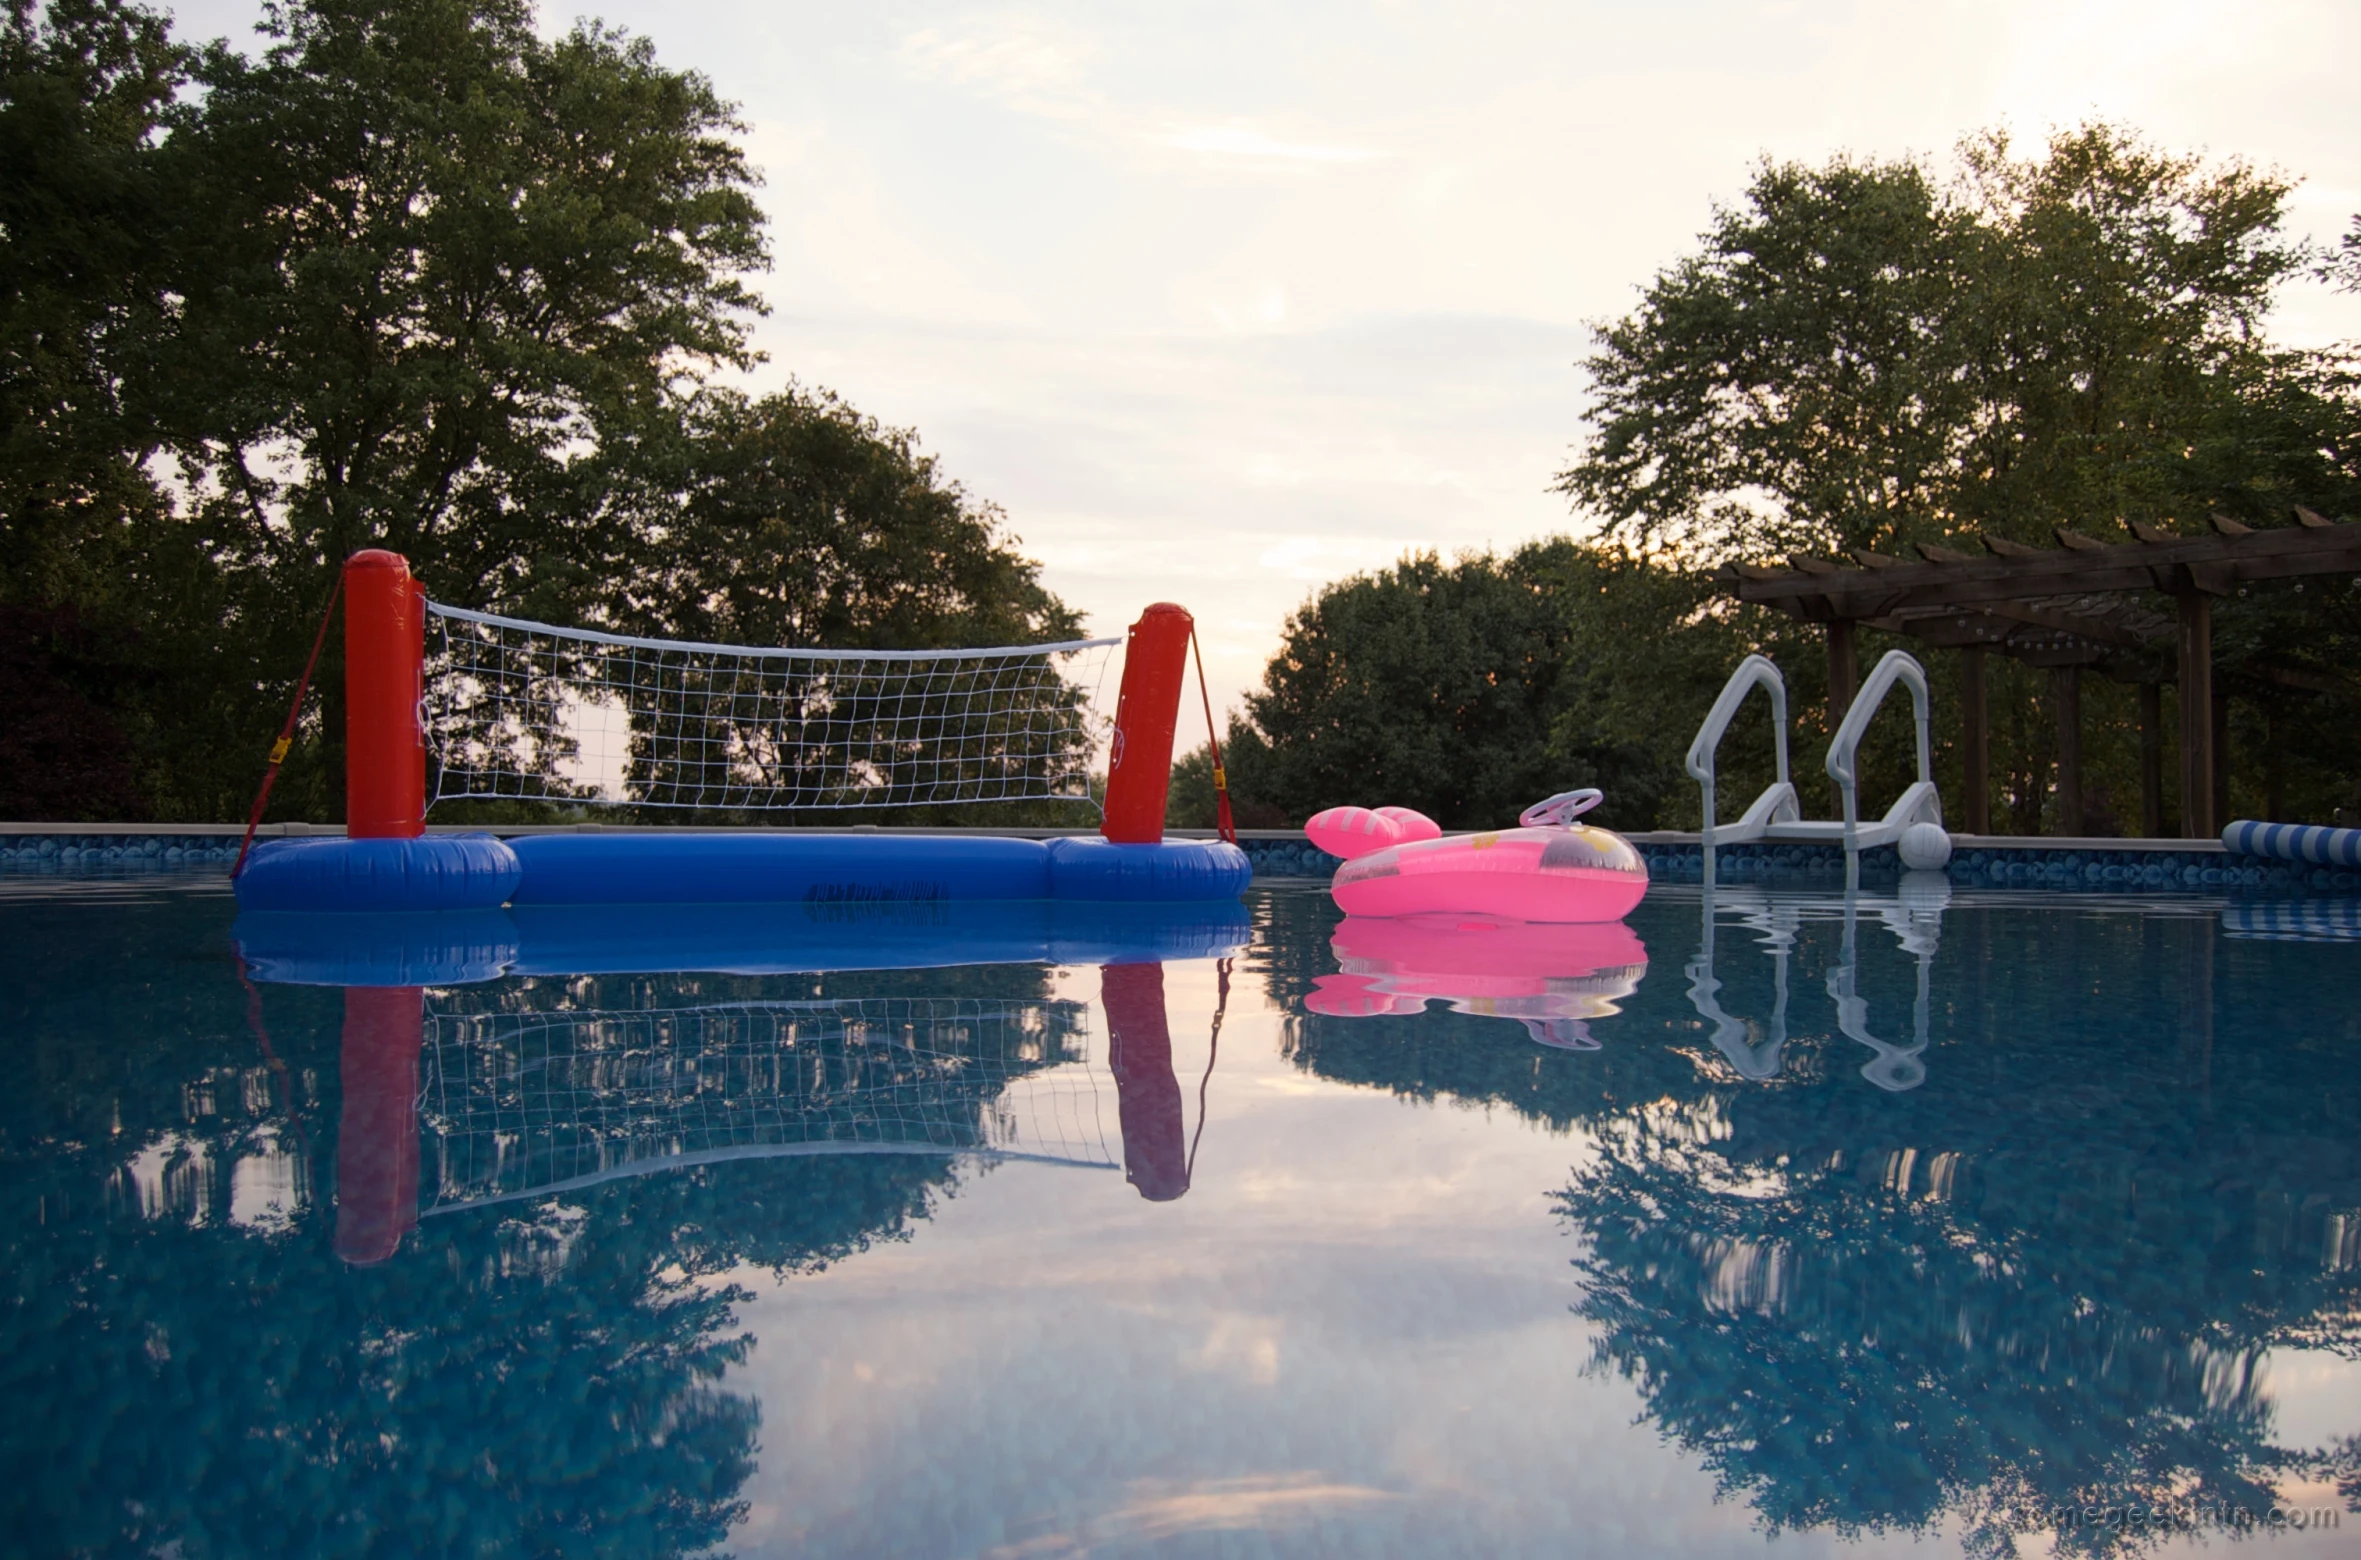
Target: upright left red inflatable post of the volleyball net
x,y
386,648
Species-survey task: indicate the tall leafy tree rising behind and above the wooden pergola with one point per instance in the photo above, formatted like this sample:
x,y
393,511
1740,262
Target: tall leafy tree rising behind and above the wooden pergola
x,y
1864,358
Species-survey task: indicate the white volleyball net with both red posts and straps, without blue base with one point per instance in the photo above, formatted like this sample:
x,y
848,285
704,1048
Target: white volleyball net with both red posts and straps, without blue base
x,y
516,712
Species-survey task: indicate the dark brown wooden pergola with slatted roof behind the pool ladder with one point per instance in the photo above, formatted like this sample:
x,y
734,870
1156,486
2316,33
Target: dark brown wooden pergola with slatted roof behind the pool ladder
x,y
2074,608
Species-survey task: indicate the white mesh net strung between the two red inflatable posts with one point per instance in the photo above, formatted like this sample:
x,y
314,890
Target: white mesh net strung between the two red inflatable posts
x,y
528,712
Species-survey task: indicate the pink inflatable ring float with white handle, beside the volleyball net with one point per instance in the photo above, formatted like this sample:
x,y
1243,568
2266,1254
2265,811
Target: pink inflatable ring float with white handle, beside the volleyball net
x,y
1543,870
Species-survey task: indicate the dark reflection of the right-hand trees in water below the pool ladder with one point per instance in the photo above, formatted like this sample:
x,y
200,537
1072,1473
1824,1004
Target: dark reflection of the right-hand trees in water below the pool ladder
x,y
2025,1266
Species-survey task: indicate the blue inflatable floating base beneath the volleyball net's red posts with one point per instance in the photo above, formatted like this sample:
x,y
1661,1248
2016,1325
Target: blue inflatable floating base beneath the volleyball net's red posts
x,y
816,870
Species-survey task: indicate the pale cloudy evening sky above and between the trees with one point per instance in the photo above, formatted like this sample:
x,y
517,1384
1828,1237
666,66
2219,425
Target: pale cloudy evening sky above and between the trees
x,y
1222,303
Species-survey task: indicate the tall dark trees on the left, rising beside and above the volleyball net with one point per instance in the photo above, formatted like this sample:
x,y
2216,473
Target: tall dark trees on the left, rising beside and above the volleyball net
x,y
410,277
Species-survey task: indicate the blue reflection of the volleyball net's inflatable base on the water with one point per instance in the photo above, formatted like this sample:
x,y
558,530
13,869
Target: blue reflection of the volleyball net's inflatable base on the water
x,y
726,940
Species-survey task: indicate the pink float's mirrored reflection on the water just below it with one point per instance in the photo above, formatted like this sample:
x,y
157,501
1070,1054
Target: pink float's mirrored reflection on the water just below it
x,y
1552,978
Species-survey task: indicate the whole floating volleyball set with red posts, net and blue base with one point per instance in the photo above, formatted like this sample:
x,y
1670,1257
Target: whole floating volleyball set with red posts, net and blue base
x,y
445,704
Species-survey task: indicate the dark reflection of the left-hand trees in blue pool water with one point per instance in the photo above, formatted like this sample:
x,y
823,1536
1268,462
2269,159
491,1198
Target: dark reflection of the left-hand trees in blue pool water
x,y
195,1370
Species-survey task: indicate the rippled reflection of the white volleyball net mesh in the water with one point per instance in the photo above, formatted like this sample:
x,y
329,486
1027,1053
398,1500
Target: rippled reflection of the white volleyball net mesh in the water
x,y
530,1103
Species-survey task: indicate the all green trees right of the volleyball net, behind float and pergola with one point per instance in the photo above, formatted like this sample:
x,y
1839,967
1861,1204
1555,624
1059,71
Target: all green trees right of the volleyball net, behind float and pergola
x,y
1869,355
